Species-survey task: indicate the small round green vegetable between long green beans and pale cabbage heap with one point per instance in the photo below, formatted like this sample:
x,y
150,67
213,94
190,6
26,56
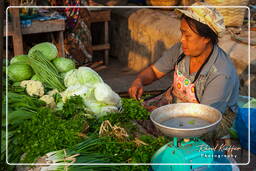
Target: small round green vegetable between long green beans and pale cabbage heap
x,y
64,64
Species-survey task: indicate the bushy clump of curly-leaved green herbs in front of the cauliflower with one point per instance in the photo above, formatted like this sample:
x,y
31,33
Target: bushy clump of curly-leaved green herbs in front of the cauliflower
x,y
45,132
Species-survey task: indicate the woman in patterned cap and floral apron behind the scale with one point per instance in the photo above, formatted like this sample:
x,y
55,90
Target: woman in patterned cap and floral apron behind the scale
x,y
203,72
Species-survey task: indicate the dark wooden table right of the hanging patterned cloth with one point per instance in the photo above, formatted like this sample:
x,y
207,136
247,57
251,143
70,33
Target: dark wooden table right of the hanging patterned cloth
x,y
102,16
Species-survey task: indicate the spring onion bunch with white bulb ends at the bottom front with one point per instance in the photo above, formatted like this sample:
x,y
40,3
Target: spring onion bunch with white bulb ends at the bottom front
x,y
84,152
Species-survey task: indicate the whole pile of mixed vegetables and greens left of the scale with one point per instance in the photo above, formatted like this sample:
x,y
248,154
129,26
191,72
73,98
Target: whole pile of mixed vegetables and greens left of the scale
x,y
67,115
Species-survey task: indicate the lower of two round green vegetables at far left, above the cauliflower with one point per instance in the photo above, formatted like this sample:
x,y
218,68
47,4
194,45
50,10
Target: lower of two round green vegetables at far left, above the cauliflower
x,y
19,72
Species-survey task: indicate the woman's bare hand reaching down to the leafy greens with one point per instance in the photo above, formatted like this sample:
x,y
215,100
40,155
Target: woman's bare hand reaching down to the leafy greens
x,y
136,89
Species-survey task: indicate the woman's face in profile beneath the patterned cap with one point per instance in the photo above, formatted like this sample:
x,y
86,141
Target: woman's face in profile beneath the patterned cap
x,y
192,43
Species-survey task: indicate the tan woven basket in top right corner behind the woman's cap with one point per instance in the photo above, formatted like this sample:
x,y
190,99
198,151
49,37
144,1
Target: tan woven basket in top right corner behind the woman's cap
x,y
232,16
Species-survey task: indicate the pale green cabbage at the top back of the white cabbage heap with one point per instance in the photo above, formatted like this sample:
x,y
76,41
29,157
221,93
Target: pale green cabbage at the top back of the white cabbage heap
x,y
82,76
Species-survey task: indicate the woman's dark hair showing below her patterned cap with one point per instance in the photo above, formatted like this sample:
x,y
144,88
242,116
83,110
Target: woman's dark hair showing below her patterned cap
x,y
201,29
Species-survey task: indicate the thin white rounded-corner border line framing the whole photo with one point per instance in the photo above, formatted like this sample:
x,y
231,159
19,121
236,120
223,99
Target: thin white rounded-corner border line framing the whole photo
x,y
107,7
